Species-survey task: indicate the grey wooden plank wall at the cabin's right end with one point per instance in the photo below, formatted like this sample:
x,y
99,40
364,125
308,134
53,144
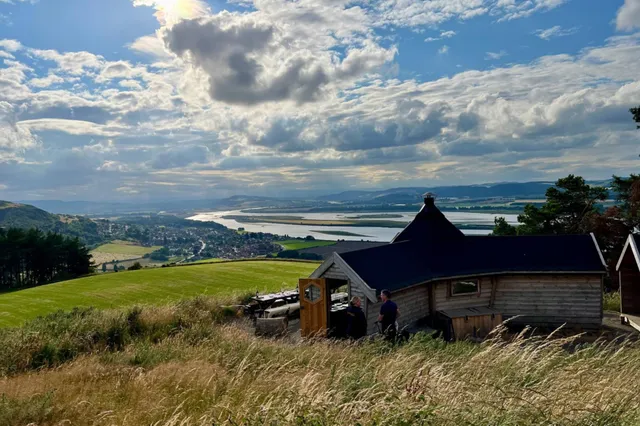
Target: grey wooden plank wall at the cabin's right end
x,y
550,300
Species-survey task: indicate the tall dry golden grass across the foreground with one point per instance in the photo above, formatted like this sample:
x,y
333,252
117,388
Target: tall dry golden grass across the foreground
x,y
211,372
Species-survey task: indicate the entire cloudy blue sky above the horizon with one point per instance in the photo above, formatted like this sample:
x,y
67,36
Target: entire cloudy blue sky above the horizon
x,y
189,99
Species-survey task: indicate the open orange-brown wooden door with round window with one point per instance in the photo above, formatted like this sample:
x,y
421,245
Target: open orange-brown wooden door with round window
x,y
313,307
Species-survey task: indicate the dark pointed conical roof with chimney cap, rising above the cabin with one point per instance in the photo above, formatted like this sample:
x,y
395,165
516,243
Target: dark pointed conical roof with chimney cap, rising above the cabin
x,y
429,226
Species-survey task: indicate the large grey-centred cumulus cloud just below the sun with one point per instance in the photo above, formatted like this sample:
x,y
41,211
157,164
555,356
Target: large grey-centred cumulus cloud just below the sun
x,y
249,61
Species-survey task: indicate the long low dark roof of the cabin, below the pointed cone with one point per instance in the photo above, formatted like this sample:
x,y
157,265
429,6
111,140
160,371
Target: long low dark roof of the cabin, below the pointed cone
x,y
403,264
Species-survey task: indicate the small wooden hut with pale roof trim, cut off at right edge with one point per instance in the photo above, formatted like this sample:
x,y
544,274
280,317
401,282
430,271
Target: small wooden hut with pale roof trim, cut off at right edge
x,y
628,268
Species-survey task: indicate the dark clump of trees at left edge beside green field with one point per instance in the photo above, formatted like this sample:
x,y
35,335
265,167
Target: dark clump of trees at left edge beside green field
x,y
32,257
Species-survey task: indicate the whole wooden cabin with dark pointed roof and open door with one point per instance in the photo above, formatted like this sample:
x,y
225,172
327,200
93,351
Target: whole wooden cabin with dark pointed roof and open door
x,y
434,271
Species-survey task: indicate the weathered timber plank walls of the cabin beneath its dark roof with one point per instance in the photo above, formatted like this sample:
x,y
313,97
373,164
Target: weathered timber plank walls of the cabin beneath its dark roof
x,y
538,299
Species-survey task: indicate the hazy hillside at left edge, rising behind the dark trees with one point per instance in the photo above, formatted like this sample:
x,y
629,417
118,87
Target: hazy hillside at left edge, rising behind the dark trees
x,y
14,215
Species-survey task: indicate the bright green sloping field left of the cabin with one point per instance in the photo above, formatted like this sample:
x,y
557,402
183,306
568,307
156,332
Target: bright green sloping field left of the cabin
x,y
151,286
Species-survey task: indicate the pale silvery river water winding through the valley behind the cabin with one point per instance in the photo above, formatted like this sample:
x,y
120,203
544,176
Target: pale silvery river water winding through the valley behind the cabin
x,y
370,233
